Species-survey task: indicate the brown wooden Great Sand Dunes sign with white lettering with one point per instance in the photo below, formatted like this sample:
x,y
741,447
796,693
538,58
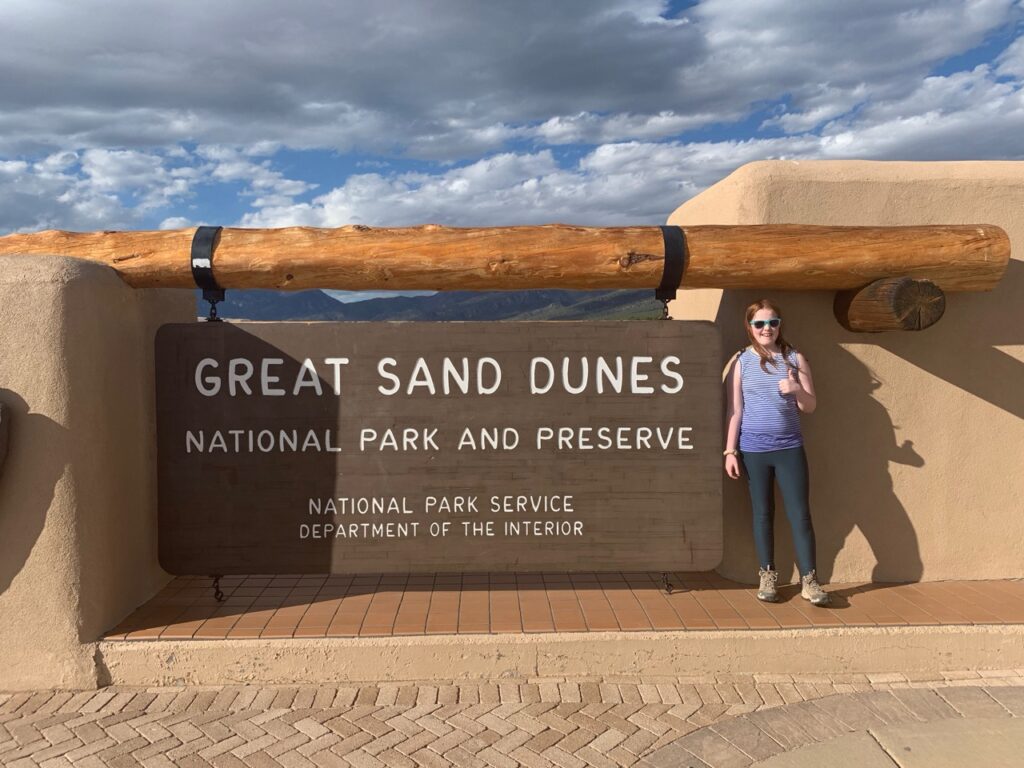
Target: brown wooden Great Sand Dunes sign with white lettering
x,y
312,448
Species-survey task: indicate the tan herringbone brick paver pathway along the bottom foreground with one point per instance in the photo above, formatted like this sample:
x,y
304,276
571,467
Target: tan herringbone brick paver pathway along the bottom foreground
x,y
570,723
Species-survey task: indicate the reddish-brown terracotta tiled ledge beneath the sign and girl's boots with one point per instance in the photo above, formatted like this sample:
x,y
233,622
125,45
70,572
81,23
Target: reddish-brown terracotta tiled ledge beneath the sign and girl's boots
x,y
282,607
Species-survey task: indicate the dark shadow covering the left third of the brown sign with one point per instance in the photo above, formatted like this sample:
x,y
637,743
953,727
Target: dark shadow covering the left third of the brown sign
x,y
233,504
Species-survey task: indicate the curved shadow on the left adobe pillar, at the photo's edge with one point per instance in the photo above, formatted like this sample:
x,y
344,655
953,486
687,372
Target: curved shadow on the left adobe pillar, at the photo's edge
x,y
37,457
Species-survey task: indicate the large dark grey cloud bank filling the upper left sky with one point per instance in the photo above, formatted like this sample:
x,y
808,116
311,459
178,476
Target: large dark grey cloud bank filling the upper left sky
x,y
436,80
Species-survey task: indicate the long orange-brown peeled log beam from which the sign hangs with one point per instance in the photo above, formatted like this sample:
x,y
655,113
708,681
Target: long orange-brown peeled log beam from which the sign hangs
x,y
769,258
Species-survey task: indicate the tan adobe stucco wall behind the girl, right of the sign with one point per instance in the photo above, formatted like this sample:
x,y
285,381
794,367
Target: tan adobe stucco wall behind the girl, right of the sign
x,y
917,448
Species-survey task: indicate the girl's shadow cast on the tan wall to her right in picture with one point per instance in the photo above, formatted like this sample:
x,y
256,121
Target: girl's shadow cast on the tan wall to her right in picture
x,y
851,485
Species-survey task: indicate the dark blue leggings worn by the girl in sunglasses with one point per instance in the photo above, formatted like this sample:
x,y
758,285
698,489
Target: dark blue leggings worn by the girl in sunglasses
x,y
790,468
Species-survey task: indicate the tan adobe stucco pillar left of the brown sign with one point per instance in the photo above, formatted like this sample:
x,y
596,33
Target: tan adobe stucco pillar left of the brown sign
x,y
78,546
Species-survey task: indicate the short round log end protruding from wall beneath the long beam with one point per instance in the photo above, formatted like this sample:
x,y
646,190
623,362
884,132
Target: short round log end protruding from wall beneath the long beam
x,y
890,305
